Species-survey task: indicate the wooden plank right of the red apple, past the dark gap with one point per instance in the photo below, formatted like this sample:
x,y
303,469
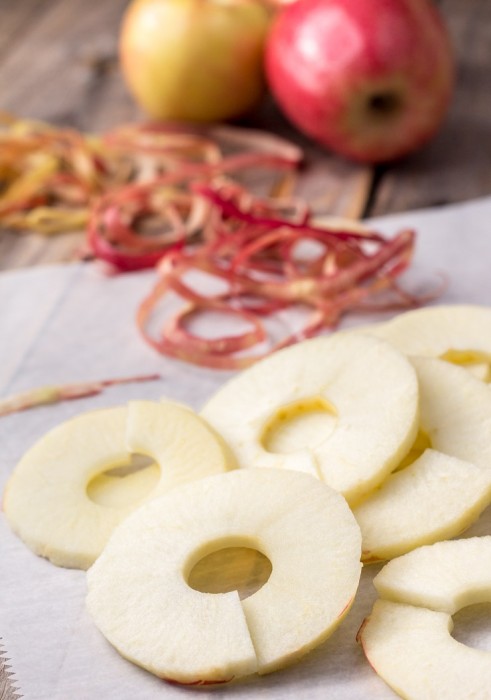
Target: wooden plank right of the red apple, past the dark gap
x,y
455,166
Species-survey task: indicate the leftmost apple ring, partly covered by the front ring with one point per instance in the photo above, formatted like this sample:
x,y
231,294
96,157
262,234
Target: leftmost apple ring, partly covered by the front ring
x,y
60,500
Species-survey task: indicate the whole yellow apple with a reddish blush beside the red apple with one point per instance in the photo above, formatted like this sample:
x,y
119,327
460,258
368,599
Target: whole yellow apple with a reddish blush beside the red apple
x,y
194,60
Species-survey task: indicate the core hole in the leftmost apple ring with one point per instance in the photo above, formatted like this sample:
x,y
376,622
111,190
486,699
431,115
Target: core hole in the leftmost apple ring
x,y
124,484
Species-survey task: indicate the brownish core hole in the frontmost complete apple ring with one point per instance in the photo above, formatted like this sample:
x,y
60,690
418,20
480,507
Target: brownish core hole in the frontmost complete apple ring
x,y
241,569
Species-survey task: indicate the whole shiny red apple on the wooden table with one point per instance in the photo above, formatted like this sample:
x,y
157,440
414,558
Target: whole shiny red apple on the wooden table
x,y
371,79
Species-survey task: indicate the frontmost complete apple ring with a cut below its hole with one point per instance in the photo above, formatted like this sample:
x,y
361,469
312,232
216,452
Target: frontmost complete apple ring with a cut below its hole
x,y
140,599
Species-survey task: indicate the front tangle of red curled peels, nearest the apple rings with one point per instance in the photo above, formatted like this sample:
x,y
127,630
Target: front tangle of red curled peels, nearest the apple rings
x,y
255,260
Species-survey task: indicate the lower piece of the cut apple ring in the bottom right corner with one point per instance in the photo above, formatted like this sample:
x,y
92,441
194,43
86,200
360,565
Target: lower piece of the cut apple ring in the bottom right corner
x,y
412,650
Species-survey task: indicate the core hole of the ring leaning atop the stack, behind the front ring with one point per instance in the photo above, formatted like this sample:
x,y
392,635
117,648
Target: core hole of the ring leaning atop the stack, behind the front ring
x,y
302,424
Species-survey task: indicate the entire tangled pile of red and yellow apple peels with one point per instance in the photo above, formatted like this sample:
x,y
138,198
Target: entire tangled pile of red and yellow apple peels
x,y
174,198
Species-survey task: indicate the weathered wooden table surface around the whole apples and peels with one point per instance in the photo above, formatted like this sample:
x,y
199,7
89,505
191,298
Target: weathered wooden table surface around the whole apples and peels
x,y
58,62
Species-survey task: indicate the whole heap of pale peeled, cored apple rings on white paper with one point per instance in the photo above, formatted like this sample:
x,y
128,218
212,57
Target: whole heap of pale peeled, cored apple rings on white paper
x,y
369,444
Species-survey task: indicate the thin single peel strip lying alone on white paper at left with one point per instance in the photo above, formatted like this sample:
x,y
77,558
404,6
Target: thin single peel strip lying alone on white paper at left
x,y
65,392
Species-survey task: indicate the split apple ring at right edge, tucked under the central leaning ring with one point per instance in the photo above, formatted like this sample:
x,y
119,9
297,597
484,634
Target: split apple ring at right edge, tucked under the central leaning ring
x,y
448,484
